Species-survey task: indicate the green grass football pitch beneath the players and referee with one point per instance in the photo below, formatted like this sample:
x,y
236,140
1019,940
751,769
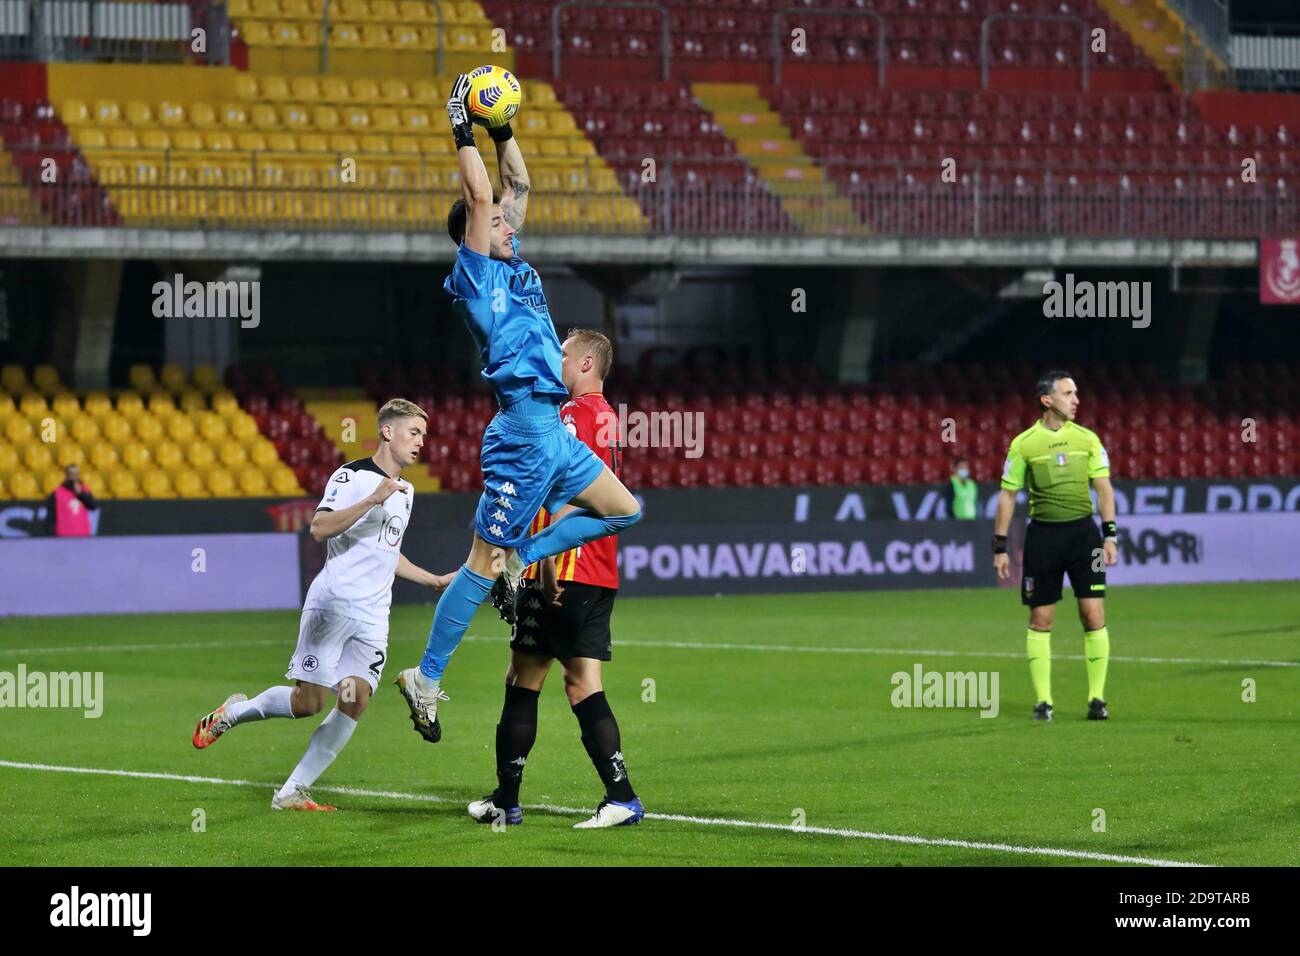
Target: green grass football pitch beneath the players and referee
x,y
1185,771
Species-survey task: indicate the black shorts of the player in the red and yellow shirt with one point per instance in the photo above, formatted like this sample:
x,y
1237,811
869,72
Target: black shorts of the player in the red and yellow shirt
x,y
579,628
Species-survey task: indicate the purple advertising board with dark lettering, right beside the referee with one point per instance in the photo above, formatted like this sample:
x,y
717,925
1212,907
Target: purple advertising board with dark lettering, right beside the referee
x,y
1186,550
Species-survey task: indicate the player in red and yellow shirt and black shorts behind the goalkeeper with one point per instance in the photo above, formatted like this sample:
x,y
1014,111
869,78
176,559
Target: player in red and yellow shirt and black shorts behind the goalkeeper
x,y
564,613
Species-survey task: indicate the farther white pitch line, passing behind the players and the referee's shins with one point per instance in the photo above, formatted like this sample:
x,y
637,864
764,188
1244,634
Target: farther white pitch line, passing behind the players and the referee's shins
x,y
677,646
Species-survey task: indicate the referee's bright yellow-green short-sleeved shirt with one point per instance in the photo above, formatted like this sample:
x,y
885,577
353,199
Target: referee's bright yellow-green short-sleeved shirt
x,y
1056,470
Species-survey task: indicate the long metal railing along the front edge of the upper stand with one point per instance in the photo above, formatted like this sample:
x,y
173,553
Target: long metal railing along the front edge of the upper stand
x,y
252,192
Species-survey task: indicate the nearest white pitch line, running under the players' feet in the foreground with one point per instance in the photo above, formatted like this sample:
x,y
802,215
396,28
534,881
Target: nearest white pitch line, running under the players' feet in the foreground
x,y
673,817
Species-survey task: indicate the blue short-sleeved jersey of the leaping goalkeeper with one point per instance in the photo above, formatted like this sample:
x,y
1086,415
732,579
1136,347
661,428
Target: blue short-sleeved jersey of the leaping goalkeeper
x,y
506,312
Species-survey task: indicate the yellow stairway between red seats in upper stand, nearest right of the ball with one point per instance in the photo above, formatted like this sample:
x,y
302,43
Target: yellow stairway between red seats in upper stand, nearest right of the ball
x,y
762,139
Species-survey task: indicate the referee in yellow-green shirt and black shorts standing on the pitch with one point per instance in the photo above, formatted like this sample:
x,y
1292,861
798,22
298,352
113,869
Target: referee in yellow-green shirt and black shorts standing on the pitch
x,y
1055,460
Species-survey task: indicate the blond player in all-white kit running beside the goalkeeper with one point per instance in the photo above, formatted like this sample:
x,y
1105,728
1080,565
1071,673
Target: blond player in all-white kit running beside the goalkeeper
x,y
344,635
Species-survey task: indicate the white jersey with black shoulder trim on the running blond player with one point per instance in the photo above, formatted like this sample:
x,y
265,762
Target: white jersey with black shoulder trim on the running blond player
x,y
362,563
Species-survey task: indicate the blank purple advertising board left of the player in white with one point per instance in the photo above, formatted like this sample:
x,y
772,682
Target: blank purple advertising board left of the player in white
x,y
163,573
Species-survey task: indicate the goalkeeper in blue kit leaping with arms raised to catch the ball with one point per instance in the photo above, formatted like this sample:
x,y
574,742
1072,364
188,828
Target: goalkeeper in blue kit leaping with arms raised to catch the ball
x,y
530,460
